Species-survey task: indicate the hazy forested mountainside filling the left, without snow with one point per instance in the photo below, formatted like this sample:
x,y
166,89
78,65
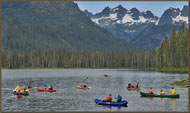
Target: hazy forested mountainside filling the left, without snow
x,y
36,25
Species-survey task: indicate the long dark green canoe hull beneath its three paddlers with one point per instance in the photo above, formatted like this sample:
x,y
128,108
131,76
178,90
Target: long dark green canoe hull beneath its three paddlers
x,y
143,94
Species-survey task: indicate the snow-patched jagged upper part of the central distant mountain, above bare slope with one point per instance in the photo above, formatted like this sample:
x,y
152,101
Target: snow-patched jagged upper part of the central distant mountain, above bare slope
x,y
120,15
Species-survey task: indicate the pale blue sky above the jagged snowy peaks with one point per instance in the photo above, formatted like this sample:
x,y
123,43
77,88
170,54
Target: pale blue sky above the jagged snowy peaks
x,y
156,7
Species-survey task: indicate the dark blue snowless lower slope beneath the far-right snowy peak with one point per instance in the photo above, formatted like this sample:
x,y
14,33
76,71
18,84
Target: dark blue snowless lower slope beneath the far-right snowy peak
x,y
148,40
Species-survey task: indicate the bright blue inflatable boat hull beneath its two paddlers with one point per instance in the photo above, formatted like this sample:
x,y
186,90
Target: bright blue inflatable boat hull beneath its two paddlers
x,y
123,103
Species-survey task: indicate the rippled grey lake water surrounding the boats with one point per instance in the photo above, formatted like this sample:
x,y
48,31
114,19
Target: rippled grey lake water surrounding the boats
x,y
69,98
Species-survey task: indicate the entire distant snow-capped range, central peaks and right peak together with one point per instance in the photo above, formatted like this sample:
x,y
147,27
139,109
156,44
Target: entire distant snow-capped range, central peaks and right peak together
x,y
142,29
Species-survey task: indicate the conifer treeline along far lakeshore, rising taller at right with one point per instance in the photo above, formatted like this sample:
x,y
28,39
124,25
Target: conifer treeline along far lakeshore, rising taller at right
x,y
171,53
